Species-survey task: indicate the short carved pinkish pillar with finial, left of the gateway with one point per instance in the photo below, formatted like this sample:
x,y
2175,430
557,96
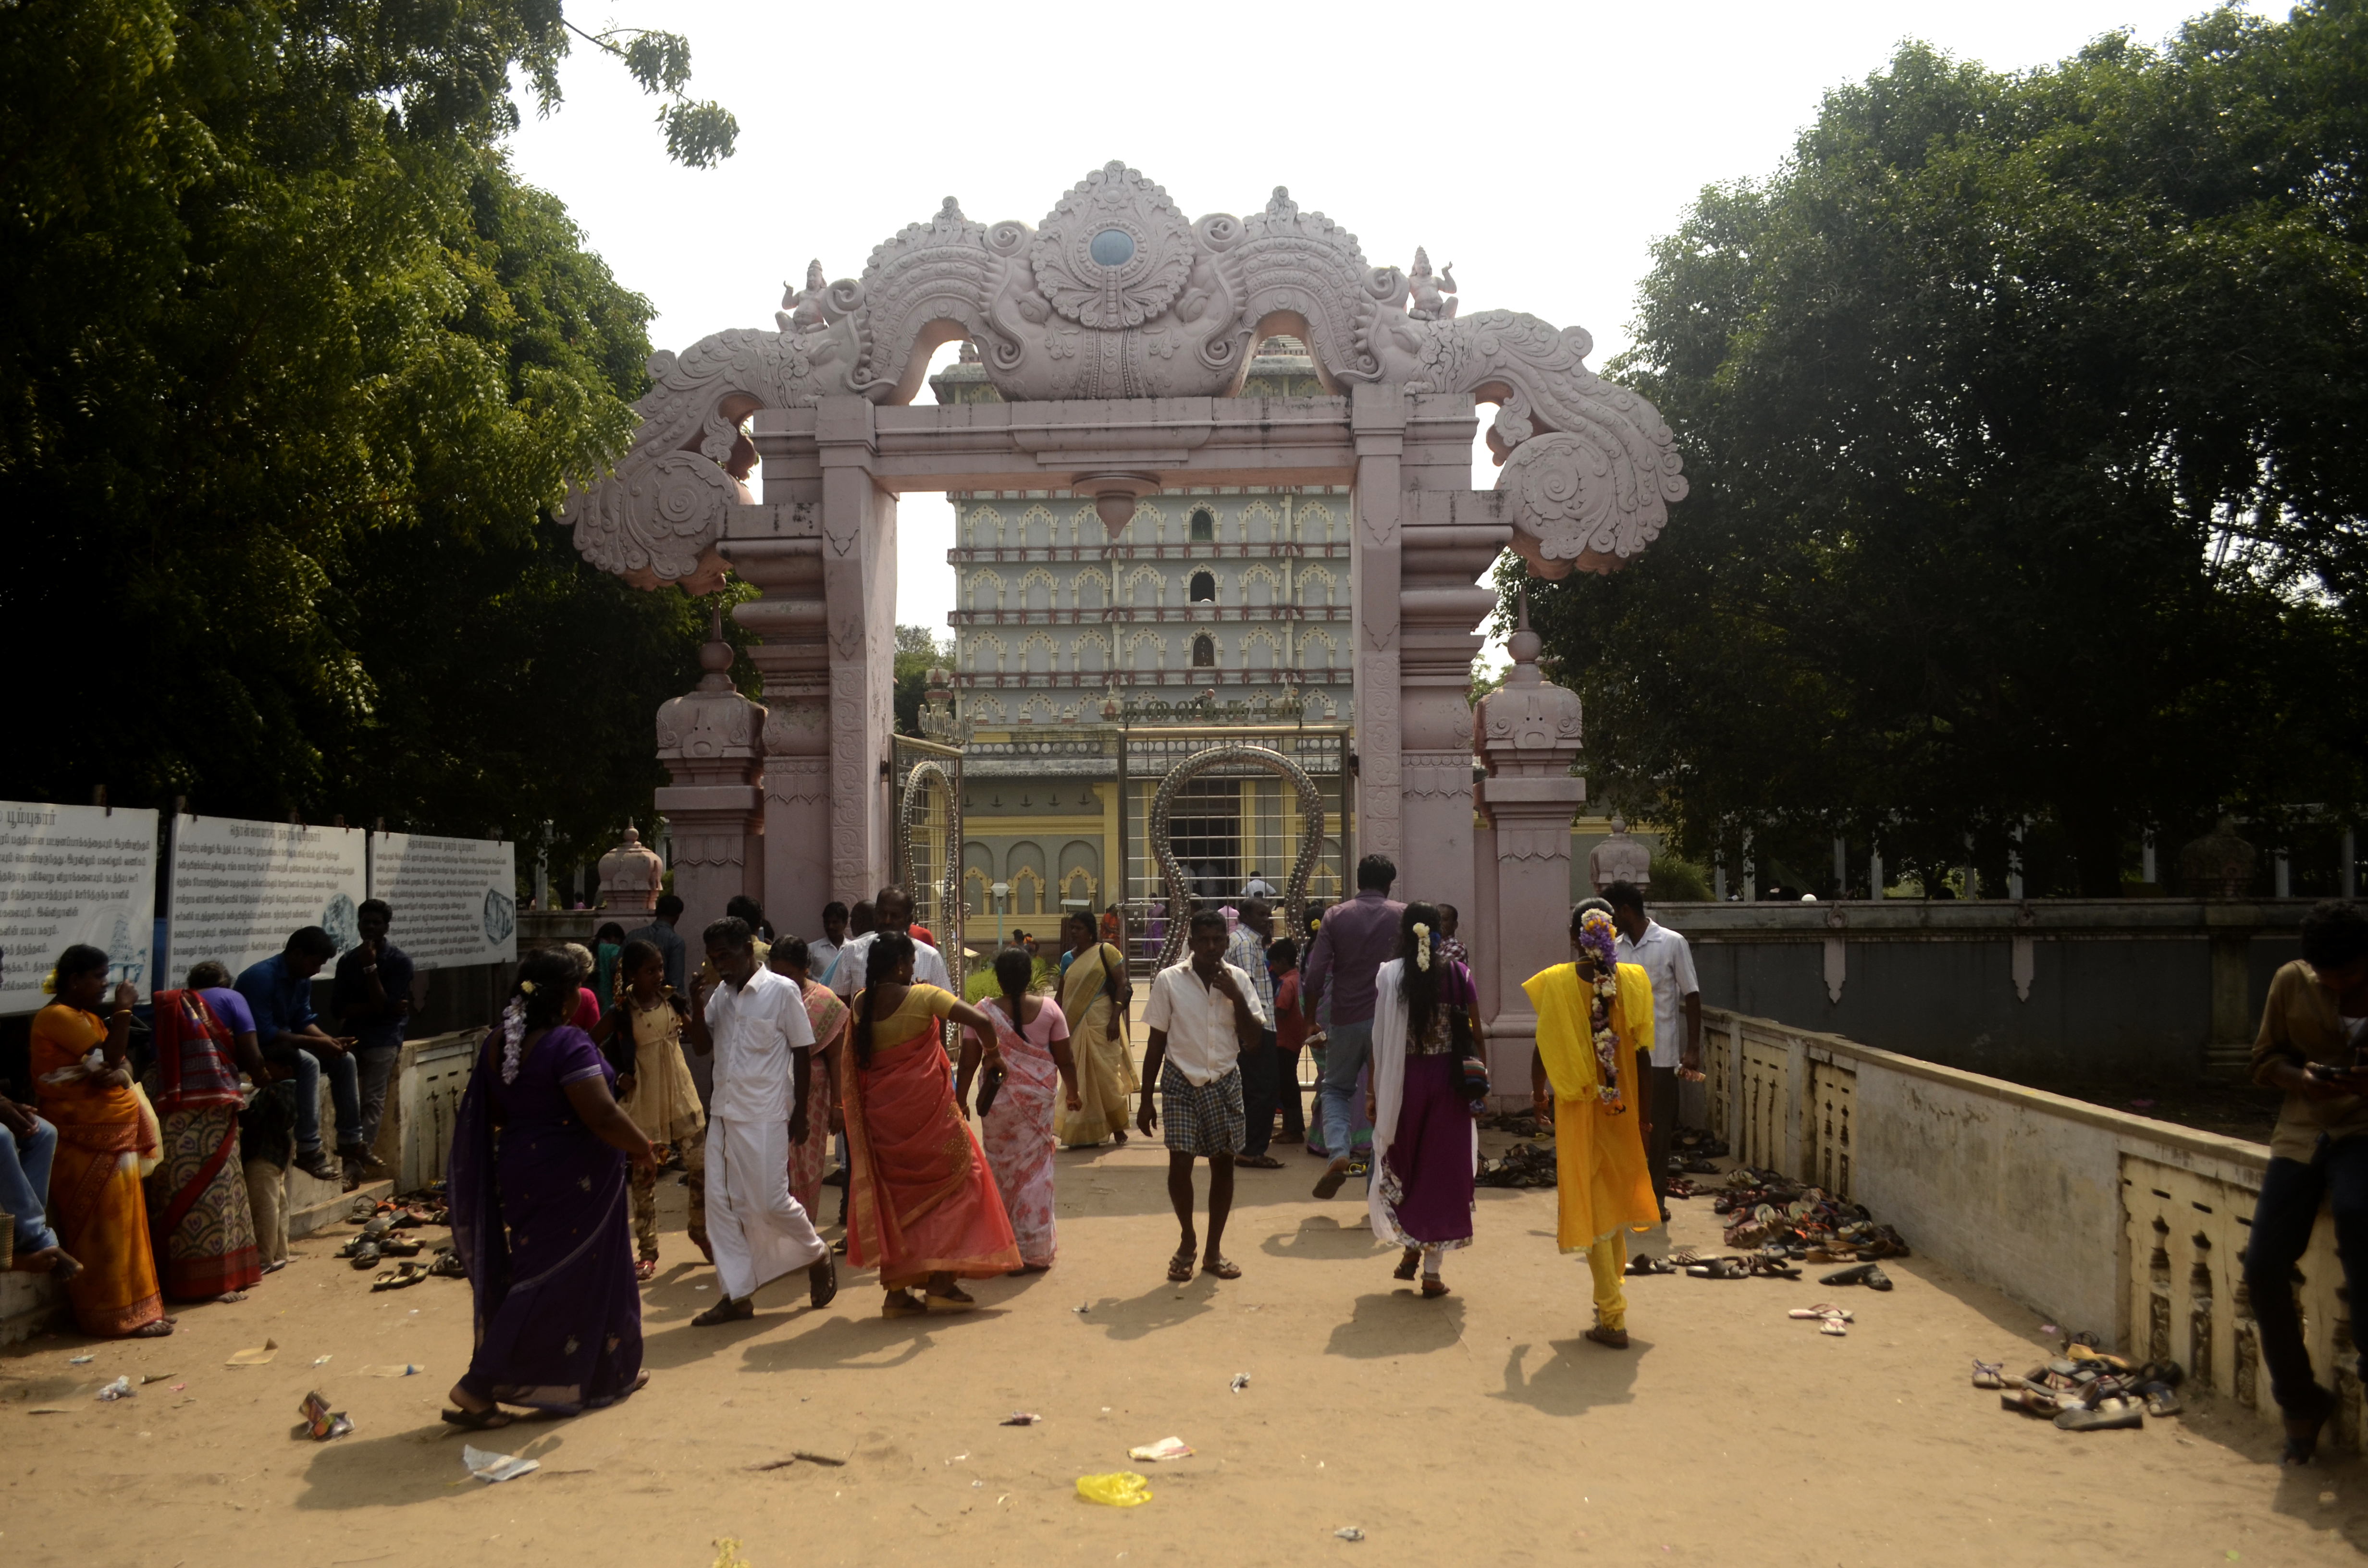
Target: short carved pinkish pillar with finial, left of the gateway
x,y
709,745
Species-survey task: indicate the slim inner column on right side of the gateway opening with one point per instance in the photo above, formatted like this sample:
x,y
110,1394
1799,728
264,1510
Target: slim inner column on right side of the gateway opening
x,y
1379,425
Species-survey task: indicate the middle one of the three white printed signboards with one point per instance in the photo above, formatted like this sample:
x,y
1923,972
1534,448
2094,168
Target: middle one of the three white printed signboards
x,y
243,887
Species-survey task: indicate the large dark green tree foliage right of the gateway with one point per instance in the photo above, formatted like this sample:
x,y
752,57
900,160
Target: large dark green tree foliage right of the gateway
x,y
2023,423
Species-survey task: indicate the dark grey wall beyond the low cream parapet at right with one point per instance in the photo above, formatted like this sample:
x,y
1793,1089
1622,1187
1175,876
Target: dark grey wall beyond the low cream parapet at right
x,y
2116,989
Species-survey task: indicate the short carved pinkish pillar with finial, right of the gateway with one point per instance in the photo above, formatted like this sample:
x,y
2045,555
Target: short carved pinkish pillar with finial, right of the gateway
x,y
1529,738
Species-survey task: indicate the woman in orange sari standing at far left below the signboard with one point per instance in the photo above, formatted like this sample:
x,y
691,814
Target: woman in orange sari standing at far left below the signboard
x,y
96,1197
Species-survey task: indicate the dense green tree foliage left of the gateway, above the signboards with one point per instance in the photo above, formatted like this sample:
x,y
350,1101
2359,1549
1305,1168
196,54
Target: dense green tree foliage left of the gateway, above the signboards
x,y
292,378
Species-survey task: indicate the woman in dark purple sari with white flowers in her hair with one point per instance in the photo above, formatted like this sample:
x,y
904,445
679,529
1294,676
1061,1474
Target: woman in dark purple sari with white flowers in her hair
x,y
541,1214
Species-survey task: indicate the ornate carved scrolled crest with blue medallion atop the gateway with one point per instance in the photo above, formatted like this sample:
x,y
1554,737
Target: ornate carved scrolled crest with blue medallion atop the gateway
x,y
1117,295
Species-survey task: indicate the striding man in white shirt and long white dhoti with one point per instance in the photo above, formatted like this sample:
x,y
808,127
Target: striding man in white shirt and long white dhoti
x,y
754,1020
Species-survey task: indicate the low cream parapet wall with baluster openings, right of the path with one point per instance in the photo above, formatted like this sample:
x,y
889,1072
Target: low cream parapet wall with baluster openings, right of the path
x,y
2092,1219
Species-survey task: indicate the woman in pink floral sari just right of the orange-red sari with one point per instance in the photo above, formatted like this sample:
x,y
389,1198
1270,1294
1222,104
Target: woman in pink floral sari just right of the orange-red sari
x,y
1015,1105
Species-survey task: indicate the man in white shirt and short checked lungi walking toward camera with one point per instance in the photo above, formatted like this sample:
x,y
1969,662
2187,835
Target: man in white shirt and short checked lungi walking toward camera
x,y
1202,1017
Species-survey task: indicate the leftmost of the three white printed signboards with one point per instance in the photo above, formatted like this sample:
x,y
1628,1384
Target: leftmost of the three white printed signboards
x,y
75,875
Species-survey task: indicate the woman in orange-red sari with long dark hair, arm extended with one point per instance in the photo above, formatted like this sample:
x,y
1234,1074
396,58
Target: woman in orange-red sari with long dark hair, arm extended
x,y
922,1204
